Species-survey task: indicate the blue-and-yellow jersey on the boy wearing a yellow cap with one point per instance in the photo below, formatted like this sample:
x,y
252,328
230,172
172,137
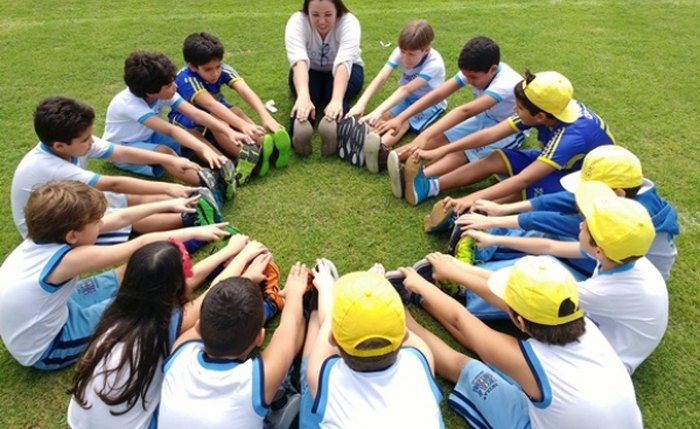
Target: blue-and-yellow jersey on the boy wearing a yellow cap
x,y
565,146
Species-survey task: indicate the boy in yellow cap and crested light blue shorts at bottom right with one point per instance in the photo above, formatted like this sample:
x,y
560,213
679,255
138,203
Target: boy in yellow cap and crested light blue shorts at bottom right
x,y
566,375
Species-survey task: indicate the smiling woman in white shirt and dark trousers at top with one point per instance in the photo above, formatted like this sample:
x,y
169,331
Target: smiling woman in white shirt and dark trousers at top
x,y
323,48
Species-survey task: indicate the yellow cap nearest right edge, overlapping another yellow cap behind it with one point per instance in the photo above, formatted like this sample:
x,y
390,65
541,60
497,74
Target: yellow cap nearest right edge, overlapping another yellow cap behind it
x,y
621,227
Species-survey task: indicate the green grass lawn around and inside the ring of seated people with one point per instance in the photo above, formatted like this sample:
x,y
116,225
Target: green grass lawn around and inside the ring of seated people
x,y
631,61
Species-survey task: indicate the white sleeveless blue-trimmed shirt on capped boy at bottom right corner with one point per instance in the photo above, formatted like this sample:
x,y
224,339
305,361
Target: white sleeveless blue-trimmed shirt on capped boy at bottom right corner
x,y
584,385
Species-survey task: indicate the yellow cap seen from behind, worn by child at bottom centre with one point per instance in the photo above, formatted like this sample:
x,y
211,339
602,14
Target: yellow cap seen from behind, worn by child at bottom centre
x,y
366,306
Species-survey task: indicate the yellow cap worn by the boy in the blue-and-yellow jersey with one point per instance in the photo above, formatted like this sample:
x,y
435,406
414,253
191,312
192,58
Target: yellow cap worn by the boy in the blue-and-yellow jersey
x,y
552,92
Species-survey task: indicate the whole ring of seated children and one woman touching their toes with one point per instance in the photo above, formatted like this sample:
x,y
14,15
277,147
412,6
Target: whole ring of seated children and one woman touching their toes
x,y
593,308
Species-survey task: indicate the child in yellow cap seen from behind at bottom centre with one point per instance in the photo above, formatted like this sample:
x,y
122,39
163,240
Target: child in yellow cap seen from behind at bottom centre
x,y
362,367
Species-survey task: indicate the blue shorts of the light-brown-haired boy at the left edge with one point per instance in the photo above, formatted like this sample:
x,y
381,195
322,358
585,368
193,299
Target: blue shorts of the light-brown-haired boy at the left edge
x,y
86,304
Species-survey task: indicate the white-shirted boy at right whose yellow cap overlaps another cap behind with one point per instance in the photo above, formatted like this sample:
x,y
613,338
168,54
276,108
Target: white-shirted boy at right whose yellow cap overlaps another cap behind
x,y
626,296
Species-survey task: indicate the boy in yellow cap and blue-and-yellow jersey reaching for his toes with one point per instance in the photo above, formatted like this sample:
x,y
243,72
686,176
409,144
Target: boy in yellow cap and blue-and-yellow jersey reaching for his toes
x,y
566,128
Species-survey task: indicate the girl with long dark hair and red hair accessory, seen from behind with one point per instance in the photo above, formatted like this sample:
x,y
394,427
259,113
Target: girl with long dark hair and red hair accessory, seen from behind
x,y
118,378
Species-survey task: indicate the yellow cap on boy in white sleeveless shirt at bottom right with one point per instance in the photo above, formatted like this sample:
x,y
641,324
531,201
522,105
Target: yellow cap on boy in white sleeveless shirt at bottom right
x,y
535,287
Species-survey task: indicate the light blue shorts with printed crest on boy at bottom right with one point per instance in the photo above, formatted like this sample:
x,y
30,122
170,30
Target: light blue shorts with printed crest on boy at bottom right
x,y
488,399
